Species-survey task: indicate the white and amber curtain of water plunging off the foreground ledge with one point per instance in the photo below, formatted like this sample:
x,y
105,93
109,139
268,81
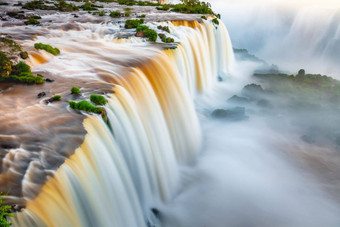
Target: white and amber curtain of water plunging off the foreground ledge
x,y
131,163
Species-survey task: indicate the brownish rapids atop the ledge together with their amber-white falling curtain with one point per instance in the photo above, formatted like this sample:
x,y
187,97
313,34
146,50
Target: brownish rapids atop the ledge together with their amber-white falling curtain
x,y
152,123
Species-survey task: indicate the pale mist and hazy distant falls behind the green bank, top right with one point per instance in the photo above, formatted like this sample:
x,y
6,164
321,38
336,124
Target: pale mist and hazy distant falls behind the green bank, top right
x,y
290,34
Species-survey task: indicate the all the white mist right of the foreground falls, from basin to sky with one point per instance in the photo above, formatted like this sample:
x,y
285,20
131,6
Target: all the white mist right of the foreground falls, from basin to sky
x,y
279,163
